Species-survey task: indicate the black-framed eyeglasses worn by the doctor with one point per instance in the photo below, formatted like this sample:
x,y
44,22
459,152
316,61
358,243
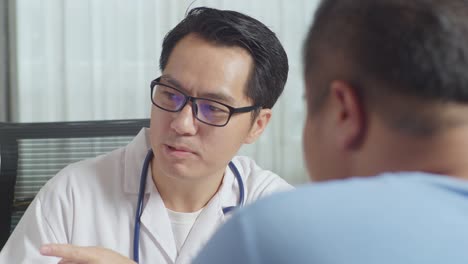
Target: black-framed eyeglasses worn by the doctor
x,y
208,111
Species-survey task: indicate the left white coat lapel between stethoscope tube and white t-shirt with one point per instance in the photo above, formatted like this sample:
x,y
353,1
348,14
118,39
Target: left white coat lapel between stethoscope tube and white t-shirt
x,y
156,222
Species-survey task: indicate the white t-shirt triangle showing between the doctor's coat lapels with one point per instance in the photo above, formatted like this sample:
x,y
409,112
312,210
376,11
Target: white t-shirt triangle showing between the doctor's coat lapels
x,y
181,224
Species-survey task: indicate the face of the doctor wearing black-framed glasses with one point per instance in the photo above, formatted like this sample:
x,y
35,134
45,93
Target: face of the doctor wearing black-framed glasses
x,y
184,147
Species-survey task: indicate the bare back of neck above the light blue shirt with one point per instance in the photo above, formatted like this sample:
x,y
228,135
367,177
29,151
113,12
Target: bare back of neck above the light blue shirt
x,y
444,153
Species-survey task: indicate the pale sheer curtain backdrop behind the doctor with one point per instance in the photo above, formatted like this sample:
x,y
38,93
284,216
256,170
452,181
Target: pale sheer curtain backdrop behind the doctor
x,y
68,60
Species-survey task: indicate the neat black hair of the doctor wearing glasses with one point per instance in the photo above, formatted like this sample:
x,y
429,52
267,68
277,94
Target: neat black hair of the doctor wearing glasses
x,y
230,28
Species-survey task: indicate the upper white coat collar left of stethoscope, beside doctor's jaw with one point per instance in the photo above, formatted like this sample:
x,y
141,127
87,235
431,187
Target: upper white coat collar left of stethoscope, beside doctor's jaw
x,y
134,157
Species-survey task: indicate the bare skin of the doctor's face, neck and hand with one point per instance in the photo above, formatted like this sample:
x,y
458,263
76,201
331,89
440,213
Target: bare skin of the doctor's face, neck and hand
x,y
190,157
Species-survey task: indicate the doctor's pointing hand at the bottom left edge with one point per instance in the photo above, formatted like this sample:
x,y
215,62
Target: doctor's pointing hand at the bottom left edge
x,y
71,254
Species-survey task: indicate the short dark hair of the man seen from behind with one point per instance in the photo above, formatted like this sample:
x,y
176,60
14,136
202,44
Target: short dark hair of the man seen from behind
x,y
407,60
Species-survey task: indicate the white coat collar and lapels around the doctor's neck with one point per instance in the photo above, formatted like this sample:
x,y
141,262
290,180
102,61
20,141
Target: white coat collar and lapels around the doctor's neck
x,y
155,218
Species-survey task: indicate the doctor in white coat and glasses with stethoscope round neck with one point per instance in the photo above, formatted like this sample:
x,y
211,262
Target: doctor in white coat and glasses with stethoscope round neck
x,y
222,72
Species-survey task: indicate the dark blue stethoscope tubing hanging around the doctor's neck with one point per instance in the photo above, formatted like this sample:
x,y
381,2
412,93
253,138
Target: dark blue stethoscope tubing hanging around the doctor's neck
x,y
141,192
